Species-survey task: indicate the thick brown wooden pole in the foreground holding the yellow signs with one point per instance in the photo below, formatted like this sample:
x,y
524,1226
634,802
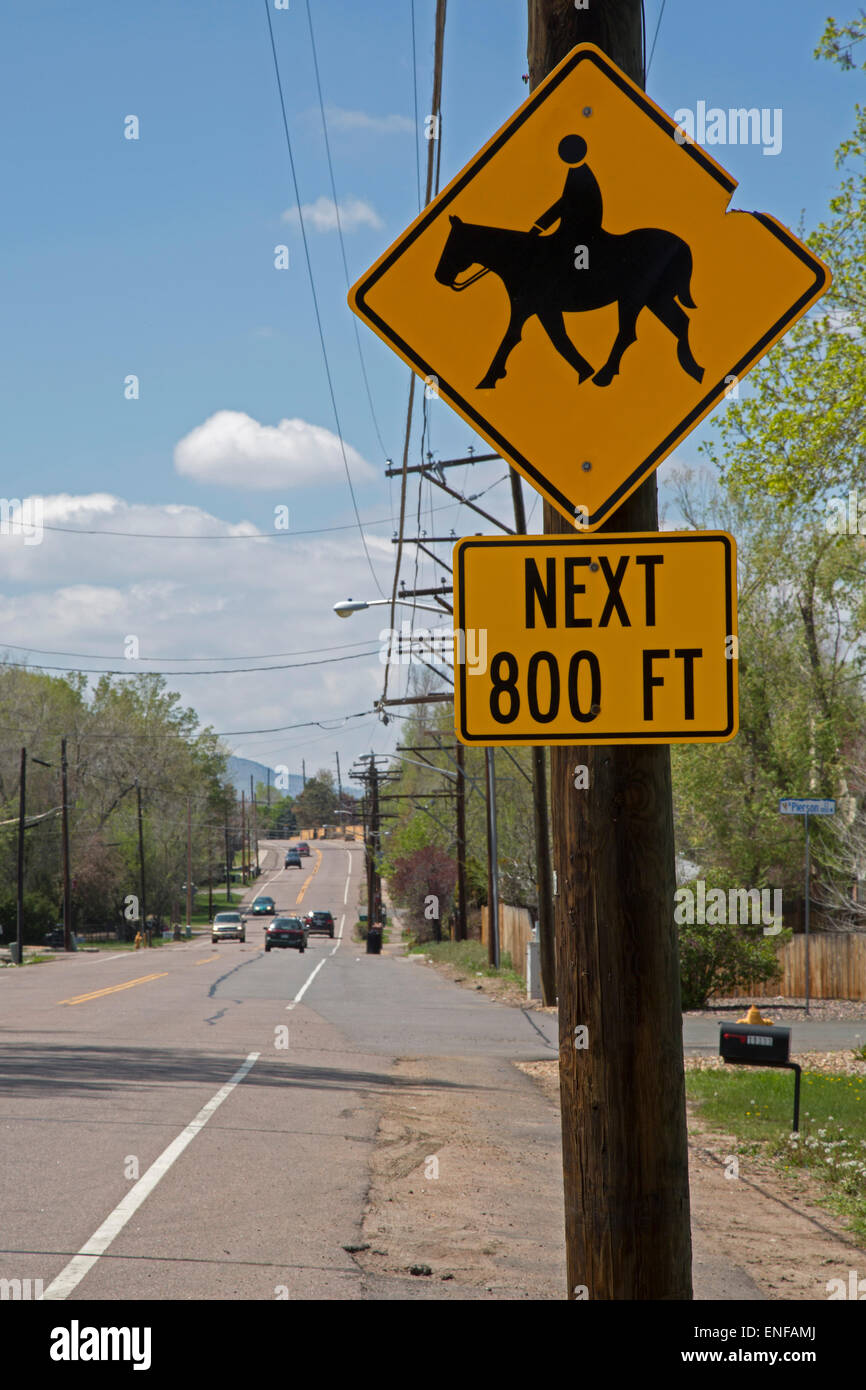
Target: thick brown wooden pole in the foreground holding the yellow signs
x,y
623,1095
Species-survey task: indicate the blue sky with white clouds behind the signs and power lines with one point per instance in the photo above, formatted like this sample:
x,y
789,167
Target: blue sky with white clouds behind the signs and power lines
x,y
156,258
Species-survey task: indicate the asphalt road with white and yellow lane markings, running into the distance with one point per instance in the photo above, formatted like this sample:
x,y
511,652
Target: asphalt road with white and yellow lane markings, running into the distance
x,y
195,1122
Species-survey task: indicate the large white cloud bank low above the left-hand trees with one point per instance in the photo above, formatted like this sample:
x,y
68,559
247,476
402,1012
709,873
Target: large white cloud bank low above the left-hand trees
x,y
205,598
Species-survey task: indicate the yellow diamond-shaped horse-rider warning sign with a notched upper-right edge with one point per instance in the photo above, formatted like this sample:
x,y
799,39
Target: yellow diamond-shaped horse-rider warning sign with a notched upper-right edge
x,y
580,293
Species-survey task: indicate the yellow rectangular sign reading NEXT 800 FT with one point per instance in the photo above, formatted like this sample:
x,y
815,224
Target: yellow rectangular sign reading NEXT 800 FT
x,y
598,639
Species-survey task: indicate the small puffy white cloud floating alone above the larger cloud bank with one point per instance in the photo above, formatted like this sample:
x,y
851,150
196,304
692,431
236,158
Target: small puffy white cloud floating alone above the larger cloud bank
x,y
236,451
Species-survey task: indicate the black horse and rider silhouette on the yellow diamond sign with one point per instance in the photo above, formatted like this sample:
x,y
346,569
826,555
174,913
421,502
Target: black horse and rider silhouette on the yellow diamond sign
x,y
647,269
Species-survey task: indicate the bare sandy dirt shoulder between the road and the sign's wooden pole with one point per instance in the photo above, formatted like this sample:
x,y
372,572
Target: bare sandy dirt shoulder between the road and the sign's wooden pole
x,y
466,1188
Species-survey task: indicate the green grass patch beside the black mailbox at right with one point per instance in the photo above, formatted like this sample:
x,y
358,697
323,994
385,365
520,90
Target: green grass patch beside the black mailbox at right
x,y
758,1107
